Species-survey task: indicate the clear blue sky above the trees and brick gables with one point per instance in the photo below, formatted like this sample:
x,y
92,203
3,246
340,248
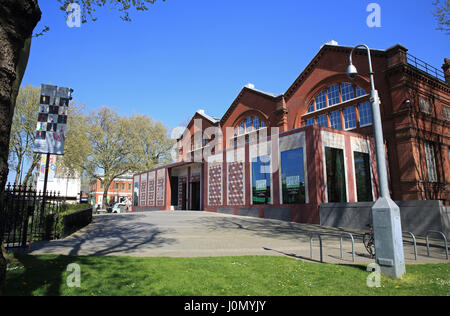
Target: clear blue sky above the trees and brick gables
x,y
185,55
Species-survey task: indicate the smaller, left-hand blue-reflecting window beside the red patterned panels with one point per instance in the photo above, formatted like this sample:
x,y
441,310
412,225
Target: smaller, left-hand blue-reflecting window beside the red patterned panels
x,y
261,180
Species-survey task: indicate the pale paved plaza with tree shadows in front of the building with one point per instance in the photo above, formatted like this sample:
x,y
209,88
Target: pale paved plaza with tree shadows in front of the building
x,y
204,234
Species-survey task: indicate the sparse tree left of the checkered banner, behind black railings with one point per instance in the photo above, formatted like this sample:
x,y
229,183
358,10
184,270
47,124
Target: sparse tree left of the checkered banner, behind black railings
x,y
23,130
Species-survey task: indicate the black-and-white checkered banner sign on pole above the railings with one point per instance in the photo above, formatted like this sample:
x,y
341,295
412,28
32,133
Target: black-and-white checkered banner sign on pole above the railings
x,y
52,120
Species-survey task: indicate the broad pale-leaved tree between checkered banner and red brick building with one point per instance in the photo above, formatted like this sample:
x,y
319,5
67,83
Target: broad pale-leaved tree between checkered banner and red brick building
x,y
105,146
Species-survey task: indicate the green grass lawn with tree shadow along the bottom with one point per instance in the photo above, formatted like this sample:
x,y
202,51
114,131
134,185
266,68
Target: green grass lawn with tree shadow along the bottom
x,y
227,276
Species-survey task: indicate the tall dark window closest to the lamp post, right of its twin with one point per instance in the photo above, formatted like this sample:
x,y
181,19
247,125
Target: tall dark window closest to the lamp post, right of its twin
x,y
363,179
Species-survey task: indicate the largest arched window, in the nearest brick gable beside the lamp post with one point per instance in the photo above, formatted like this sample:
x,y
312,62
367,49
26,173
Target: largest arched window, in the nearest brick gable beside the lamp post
x,y
340,106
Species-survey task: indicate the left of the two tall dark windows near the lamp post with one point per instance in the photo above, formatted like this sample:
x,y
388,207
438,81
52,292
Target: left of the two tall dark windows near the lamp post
x,y
336,185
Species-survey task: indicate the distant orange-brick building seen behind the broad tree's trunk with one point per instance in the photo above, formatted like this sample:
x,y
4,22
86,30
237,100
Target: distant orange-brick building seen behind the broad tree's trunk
x,y
119,190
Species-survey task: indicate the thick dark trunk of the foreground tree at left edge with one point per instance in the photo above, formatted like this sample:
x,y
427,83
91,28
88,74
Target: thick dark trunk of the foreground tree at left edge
x,y
18,18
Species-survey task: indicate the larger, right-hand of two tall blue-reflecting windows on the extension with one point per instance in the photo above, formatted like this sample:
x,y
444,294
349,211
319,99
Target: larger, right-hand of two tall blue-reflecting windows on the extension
x,y
293,176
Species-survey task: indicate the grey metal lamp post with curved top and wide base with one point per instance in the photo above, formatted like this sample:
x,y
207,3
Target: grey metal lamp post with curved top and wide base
x,y
385,213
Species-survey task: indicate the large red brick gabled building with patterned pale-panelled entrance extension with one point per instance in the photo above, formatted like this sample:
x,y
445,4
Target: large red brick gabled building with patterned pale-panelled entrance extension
x,y
322,149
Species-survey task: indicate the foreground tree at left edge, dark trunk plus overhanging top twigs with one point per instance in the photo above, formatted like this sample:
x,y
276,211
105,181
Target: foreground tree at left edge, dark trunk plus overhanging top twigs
x,y
18,19
